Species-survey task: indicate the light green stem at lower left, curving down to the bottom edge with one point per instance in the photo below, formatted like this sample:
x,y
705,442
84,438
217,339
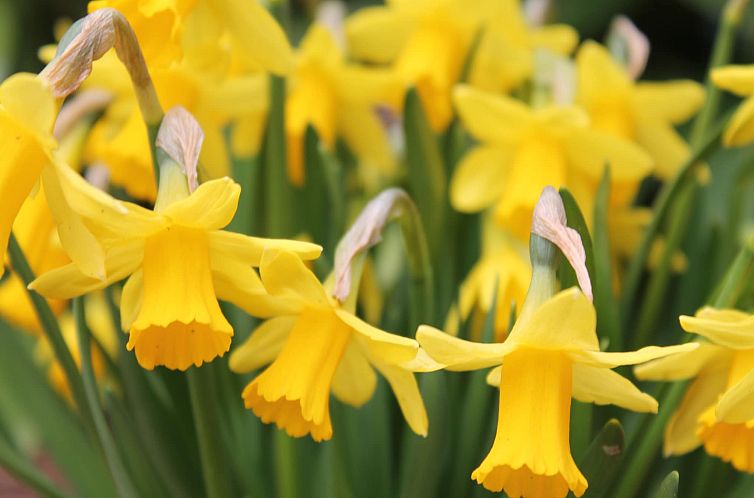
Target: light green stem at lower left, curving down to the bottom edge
x,y
122,480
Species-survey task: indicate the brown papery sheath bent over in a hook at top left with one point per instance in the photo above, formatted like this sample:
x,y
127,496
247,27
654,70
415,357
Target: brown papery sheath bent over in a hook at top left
x,y
88,40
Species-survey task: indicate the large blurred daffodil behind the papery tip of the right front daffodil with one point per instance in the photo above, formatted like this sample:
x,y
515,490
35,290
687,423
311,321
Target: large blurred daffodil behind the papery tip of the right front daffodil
x,y
524,149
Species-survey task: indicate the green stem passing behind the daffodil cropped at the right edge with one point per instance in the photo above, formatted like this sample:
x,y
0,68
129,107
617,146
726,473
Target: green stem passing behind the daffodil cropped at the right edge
x,y
641,457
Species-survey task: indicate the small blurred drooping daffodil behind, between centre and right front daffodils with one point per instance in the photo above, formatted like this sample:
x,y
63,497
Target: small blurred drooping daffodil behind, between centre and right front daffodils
x,y
502,264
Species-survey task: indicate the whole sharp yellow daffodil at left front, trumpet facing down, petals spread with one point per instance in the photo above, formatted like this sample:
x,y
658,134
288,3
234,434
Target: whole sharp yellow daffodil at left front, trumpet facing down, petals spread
x,y
180,263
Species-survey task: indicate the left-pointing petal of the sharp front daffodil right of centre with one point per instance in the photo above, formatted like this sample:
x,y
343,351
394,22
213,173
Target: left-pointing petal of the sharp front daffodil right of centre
x,y
457,354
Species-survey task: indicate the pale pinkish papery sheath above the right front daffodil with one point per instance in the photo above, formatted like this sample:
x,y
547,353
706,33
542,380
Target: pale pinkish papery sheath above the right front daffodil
x,y
549,222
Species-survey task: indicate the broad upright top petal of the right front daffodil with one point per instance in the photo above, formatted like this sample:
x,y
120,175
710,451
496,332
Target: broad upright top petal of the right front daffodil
x,y
564,322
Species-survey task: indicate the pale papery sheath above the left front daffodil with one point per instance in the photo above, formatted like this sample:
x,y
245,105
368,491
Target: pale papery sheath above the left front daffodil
x,y
179,142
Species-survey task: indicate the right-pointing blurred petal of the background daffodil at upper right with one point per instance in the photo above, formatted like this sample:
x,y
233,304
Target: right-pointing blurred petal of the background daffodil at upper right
x,y
675,101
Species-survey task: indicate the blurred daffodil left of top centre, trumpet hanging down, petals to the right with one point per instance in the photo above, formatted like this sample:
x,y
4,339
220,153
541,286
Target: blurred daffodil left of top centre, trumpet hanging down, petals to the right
x,y
339,100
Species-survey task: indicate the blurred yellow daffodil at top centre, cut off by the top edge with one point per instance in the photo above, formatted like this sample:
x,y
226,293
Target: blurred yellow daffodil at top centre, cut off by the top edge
x,y
427,42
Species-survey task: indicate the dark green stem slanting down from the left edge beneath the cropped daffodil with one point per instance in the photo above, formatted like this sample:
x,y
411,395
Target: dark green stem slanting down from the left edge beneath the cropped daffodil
x,y
51,329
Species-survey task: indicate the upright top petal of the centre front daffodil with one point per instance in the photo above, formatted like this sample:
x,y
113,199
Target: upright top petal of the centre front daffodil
x,y
285,275
